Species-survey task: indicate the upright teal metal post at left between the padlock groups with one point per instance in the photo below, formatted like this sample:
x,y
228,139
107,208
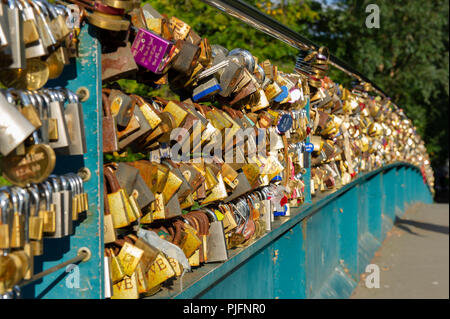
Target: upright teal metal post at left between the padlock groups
x,y
85,72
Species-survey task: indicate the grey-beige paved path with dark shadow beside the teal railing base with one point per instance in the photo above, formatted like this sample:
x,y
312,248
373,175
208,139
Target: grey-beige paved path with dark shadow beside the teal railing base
x,y
414,258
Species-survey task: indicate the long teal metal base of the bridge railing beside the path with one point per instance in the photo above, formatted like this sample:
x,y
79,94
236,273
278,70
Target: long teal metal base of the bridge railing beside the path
x,y
321,249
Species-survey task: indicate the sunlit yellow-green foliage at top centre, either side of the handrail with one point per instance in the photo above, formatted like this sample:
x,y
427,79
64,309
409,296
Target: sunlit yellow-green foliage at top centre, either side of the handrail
x,y
222,29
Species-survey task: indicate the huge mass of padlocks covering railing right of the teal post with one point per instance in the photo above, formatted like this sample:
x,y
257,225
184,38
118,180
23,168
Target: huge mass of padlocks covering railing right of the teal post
x,y
232,154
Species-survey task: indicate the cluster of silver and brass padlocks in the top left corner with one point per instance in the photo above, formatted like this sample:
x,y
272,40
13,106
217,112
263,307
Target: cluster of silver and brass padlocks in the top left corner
x,y
37,39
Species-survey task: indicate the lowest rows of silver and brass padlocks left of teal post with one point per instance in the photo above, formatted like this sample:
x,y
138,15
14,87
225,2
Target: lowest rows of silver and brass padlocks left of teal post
x,y
44,210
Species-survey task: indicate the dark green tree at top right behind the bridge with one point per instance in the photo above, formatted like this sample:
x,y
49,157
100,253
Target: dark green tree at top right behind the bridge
x,y
407,57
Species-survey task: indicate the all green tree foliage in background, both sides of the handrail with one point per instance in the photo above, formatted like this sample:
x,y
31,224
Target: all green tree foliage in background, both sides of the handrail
x,y
407,56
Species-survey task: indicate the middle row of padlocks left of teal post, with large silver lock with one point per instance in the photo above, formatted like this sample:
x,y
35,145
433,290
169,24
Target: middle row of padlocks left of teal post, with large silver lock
x,y
34,127
